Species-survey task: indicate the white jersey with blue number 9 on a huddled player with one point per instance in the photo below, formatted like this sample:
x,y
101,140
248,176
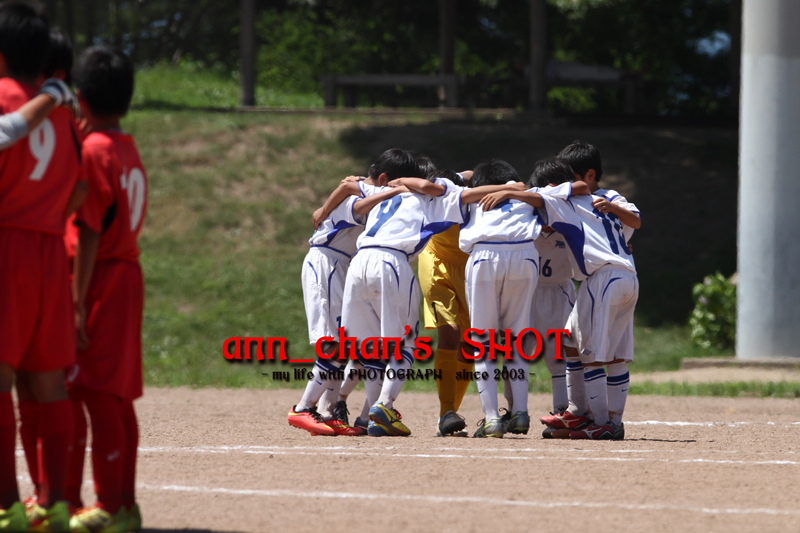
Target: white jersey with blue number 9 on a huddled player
x,y
407,221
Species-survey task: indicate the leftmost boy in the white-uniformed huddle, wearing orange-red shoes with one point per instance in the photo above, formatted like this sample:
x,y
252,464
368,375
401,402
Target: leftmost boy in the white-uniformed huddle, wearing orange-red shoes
x,y
323,277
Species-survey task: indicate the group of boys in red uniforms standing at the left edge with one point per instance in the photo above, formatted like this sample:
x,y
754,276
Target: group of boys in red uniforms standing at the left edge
x,y
73,193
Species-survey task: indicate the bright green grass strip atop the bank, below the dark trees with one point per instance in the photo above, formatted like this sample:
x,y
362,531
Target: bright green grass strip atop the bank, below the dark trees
x,y
185,85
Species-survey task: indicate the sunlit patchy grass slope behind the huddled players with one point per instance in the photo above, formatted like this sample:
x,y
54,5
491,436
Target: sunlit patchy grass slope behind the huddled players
x,y
229,210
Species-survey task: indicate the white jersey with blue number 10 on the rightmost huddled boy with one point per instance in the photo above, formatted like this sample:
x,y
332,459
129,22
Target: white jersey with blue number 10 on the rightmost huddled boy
x,y
595,239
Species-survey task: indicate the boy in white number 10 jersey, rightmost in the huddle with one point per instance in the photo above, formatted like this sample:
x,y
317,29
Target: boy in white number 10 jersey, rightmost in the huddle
x,y
597,230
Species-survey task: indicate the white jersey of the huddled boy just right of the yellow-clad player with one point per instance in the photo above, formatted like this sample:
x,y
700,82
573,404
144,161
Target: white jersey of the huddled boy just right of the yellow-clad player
x,y
510,221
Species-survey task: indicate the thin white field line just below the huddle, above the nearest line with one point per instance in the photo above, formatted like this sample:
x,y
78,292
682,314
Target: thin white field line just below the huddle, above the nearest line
x,y
353,451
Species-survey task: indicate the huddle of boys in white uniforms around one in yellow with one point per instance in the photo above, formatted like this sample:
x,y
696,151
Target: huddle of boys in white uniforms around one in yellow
x,y
495,254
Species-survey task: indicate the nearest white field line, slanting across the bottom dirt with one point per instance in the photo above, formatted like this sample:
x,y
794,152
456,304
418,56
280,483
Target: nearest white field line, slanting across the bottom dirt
x,y
279,493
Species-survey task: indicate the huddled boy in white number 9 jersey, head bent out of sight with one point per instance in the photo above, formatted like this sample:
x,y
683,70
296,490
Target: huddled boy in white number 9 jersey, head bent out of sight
x,y
381,296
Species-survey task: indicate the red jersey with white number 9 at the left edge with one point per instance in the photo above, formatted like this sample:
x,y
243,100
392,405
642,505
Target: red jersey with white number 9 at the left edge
x,y
38,173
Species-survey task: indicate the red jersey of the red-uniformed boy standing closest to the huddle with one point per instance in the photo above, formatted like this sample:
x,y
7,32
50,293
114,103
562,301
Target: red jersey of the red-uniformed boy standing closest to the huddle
x,y
117,199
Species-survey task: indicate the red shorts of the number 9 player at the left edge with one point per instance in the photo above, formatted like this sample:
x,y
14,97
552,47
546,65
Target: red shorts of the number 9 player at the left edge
x,y
37,321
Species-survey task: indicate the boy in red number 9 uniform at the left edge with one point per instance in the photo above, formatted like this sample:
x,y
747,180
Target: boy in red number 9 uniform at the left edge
x,y
37,180
